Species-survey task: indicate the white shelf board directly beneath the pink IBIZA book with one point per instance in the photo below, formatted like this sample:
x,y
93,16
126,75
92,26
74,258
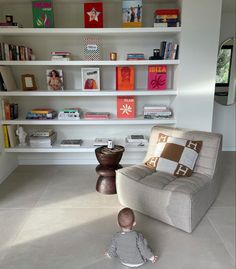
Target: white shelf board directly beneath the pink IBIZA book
x,y
102,93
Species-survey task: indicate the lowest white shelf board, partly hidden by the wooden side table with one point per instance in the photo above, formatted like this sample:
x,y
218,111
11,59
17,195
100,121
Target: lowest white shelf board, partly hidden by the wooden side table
x,y
87,146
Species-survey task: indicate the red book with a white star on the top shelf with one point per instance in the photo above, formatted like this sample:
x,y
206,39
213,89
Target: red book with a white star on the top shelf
x,y
93,15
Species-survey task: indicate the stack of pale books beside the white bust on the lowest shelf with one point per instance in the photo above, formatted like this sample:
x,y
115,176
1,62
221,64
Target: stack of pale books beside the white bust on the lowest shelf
x,y
42,138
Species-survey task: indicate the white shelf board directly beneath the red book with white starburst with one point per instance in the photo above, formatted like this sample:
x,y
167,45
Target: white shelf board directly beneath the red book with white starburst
x,y
136,121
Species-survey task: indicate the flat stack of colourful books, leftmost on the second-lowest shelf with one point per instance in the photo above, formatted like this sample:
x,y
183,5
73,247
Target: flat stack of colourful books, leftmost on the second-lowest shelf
x,y
41,114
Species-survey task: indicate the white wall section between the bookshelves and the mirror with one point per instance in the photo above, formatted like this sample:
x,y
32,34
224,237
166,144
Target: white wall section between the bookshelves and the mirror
x,y
198,54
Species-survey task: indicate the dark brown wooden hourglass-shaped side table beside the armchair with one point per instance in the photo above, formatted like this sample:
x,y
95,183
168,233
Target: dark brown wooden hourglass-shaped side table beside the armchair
x,y
109,162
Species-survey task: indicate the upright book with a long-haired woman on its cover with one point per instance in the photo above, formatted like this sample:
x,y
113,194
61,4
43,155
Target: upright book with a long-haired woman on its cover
x,y
55,80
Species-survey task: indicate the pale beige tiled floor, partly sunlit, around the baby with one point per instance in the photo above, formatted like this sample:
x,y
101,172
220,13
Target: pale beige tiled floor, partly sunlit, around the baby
x,y
52,217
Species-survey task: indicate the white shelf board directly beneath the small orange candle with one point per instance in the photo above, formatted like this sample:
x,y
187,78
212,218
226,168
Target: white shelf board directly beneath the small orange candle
x,y
88,63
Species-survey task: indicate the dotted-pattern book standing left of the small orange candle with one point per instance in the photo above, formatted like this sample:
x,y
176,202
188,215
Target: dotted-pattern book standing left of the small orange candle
x,y
92,49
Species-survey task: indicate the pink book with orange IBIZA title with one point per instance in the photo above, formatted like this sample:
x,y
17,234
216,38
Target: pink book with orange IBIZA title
x,y
157,77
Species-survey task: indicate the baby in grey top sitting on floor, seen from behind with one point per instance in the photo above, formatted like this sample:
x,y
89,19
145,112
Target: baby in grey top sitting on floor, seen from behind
x,y
130,246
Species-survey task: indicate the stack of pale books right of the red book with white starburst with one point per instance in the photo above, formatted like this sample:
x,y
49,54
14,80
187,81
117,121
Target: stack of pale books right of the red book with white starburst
x,y
156,111
